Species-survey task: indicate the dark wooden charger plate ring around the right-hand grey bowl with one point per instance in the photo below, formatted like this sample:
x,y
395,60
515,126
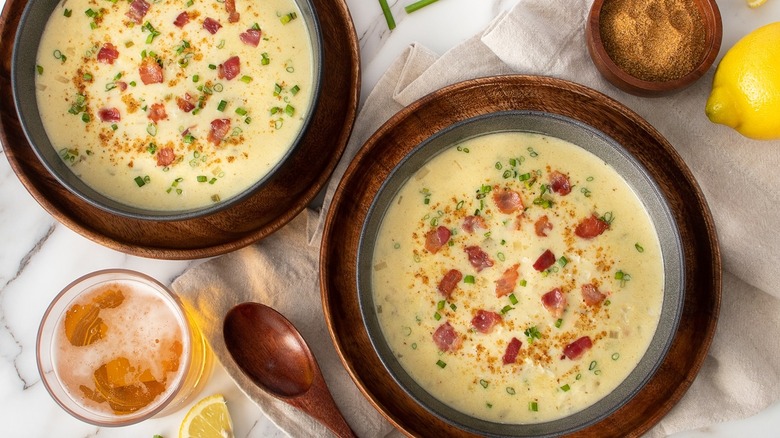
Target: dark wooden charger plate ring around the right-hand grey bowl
x,y
458,102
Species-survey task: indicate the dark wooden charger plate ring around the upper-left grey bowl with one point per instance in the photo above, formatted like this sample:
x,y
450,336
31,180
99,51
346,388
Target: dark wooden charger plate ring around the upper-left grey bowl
x,y
286,193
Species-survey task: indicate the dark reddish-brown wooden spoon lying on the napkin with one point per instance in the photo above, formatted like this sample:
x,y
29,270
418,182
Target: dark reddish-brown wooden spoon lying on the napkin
x,y
273,354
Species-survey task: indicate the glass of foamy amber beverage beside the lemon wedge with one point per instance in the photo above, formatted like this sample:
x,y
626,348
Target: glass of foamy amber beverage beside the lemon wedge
x,y
116,347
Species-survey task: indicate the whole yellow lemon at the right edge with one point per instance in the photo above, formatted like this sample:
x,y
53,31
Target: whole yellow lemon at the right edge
x,y
746,87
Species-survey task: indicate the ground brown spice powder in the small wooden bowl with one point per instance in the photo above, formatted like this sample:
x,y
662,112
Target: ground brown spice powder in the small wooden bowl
x,y
653,40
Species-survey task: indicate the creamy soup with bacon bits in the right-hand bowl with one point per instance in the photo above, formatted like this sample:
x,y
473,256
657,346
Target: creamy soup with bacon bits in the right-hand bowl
x,y
517,278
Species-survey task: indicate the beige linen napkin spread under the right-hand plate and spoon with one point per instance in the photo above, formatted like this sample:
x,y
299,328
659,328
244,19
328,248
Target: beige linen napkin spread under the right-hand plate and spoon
x,y
738,177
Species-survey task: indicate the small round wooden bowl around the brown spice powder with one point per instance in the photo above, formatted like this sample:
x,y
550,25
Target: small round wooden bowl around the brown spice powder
x,y
639,87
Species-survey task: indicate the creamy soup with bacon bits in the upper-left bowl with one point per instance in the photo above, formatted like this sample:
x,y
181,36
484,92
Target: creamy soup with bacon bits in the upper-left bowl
x,y
174,105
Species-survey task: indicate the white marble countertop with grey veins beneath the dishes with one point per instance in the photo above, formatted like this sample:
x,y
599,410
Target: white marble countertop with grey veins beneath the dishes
x,y
39,256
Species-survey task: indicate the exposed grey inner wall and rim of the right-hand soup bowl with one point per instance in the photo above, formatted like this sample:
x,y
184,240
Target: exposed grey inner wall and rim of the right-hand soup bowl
x,y
635,175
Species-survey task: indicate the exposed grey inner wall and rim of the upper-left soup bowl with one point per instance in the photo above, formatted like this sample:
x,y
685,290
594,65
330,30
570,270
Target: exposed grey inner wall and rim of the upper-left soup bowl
x,y
23,62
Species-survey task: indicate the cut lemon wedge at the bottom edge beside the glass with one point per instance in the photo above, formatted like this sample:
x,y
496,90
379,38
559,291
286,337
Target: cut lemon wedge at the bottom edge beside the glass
x,y
209,418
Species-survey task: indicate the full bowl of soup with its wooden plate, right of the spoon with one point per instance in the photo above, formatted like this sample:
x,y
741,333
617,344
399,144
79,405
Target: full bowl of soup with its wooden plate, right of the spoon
x,y
518,266
